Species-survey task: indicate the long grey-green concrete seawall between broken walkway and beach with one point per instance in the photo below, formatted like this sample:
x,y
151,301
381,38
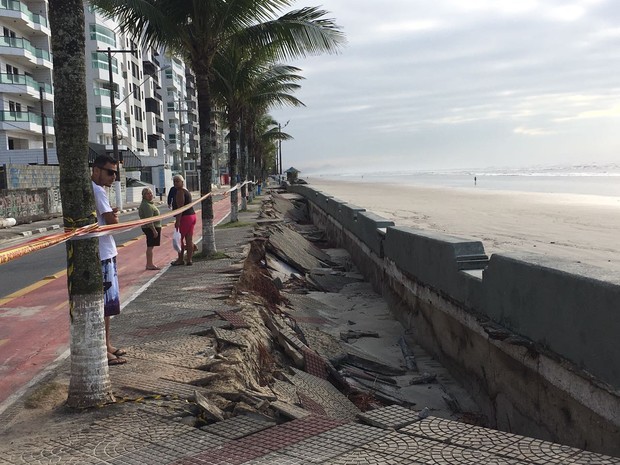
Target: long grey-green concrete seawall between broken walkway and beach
x,y
534,340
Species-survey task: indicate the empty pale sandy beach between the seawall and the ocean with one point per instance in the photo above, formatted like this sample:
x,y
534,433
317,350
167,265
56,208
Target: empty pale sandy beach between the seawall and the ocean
x,y
577,228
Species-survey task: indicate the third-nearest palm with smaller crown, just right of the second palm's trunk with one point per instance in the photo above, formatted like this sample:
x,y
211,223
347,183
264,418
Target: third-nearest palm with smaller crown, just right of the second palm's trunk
x,y
245,83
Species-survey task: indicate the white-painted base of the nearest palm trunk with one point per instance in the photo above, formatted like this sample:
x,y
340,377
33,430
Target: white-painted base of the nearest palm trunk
x,y
90,383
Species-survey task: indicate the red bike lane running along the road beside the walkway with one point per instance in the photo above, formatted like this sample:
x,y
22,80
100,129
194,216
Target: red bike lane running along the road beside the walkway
x,y
34,322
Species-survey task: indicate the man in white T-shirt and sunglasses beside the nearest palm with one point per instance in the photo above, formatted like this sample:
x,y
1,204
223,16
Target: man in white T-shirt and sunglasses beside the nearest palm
x,y
103,175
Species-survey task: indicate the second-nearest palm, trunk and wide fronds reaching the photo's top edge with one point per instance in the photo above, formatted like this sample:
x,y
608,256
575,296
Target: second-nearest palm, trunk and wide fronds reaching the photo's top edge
x,y
198,29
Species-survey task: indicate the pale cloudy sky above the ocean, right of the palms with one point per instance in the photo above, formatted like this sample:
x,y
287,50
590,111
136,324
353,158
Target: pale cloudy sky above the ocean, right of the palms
x,y
459,84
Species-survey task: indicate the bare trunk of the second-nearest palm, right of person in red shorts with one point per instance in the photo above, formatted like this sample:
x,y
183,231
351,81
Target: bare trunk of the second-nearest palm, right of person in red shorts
x,y
206,158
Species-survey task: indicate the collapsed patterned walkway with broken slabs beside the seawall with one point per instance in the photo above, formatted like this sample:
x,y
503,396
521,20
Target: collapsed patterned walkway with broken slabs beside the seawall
x,y
267,356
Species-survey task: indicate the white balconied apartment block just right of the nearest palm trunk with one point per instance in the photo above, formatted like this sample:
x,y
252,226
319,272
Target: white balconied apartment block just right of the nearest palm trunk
x,y
136,76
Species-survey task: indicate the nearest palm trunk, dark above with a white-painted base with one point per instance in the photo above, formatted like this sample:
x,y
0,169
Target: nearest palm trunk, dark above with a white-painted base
x,y
90,384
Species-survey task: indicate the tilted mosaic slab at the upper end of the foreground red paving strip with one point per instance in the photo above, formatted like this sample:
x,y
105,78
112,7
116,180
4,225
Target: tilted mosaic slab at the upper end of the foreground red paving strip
x,y
335,404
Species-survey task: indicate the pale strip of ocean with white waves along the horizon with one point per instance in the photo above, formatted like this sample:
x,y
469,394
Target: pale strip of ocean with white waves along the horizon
x,y
601,180
